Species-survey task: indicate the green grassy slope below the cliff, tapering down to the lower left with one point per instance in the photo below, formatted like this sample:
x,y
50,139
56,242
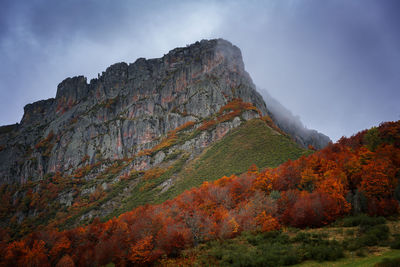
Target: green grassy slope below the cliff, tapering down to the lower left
x,y
252,142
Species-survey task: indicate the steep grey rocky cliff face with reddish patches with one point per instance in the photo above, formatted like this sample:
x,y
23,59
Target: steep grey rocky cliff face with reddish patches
x,y
129,108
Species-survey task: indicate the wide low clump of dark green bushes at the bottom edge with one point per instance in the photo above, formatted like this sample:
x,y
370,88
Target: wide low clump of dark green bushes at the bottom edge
x,y
272,248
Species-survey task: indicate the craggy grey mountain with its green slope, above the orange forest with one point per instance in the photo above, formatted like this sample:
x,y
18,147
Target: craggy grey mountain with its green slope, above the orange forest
x,y
140,133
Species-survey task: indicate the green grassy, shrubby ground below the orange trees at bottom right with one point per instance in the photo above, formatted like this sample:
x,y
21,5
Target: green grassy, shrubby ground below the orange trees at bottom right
x,y
325,246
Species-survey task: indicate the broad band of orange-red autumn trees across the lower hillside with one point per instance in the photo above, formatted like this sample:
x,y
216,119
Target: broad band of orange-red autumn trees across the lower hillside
x,y
357,174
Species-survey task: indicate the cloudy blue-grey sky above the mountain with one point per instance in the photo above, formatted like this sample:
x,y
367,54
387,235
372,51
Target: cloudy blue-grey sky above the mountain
x,y
336,64
